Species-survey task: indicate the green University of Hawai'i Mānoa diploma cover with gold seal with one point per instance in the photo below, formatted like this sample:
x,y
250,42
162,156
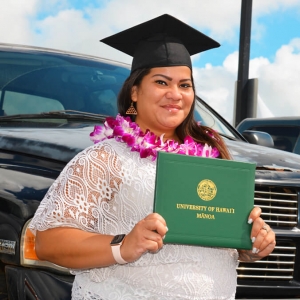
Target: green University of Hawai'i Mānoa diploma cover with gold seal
x,y
205,201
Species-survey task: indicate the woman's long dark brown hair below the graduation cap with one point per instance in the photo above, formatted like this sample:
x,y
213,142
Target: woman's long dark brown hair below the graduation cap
x,y
200,134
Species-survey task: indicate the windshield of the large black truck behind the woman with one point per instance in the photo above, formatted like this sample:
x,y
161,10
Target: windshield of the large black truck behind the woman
x,y
34,82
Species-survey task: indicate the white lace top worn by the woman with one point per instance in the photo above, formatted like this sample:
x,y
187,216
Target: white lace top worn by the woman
x,y
108,189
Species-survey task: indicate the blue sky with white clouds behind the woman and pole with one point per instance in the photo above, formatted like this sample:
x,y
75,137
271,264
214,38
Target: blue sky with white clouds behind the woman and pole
x,y
78,25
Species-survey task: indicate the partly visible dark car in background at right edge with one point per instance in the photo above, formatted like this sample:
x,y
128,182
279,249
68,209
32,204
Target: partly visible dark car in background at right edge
x,y
285,131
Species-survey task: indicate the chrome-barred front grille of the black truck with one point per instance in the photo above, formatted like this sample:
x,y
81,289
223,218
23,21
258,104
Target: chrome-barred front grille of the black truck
x,y
279,209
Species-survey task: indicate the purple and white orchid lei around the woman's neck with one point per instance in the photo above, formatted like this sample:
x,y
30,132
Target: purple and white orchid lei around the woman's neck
x,y
122,129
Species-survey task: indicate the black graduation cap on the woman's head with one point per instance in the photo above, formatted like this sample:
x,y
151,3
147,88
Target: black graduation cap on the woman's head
x,y
160,42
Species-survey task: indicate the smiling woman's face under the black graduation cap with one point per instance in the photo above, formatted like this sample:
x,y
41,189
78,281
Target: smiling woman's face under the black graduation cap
x,y
163,99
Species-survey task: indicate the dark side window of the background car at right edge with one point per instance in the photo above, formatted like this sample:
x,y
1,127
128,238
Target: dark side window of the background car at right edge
x,y
284,137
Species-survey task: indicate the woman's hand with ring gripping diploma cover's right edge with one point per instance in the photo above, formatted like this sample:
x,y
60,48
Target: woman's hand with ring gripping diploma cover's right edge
x,y
262,236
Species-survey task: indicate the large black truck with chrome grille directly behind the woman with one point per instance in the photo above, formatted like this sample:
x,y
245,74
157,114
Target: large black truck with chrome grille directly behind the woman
x,y
50,101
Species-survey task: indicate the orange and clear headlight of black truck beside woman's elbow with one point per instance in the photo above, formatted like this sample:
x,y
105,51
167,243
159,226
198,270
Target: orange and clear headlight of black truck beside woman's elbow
x,y
28,255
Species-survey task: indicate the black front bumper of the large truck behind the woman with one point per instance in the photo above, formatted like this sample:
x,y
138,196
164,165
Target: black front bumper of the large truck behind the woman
x,y
32,284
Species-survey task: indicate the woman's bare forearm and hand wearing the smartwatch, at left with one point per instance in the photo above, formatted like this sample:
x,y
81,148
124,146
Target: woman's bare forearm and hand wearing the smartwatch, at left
x,y
78,249
